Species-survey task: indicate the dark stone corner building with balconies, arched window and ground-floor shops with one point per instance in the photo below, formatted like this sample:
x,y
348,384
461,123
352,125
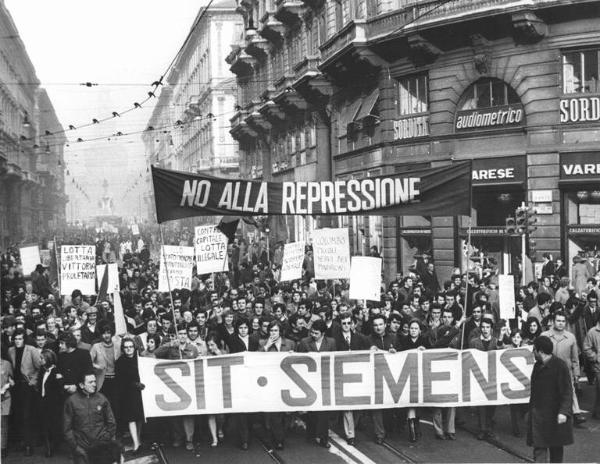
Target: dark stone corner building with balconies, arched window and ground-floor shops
x,y
340,89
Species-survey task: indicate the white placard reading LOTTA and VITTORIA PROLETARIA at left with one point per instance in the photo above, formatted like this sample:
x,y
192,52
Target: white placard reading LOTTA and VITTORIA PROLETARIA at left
x,y
78,269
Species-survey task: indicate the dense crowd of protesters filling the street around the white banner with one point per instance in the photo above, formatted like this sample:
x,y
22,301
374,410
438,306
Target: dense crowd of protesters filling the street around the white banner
x,y
58,353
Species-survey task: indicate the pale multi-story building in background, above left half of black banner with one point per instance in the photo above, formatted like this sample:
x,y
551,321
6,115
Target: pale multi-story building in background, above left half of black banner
x,y
191,119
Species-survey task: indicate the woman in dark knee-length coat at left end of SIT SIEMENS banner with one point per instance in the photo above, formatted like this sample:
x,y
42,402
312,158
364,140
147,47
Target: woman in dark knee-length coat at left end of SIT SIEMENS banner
x,y
129,389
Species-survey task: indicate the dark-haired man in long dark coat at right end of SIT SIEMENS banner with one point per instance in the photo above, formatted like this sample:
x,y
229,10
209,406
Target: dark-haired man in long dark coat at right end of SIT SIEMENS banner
x,y
550,404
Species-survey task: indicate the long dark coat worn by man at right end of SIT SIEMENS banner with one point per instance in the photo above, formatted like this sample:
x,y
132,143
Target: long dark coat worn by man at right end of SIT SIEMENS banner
x,y
551,395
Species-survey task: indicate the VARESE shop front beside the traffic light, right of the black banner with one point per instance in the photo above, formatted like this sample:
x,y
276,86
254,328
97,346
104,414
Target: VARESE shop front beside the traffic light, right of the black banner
x,y
498,189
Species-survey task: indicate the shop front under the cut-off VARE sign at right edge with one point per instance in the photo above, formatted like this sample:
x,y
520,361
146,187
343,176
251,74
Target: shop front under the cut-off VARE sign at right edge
x,y
580,205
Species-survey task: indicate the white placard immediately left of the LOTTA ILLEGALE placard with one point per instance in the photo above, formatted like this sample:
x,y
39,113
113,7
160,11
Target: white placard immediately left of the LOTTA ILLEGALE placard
x,y
180,261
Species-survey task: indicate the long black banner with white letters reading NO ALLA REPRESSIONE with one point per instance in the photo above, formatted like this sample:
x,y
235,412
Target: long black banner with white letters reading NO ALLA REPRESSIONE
x,y
442,191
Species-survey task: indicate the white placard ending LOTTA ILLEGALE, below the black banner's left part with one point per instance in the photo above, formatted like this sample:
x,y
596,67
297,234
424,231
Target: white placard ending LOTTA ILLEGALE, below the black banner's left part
x,y
210,245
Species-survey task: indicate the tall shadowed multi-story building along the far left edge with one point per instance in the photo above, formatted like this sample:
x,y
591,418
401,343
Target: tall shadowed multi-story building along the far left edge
x,y
32,200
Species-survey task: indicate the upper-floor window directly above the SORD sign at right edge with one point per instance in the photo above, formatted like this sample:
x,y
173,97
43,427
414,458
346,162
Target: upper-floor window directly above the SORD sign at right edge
x,y
580,71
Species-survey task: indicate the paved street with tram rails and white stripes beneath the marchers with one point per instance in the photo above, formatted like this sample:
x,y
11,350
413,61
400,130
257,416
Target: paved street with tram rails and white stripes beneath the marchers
x,y
396,448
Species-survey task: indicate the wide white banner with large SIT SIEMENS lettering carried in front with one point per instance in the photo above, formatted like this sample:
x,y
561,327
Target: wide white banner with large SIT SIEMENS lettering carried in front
x,y
269,382
